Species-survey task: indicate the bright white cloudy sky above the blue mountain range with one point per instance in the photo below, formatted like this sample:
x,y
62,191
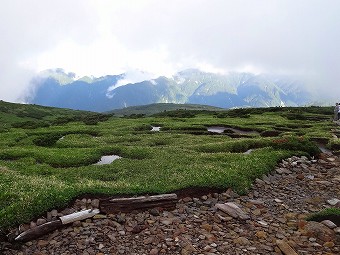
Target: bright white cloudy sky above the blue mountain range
x,y
149,38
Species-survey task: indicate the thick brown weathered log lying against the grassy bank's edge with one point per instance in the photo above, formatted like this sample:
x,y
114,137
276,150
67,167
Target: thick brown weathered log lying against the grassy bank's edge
x,y
116,205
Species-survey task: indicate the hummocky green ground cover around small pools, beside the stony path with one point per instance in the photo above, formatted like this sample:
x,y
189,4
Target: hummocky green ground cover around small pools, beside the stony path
x,y
47,167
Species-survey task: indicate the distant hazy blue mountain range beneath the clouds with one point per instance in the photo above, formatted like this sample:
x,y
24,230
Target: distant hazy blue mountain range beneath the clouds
x,y
60,89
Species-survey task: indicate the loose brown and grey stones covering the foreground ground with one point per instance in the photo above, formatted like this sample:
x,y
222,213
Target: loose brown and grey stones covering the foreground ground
x,y
270,219
